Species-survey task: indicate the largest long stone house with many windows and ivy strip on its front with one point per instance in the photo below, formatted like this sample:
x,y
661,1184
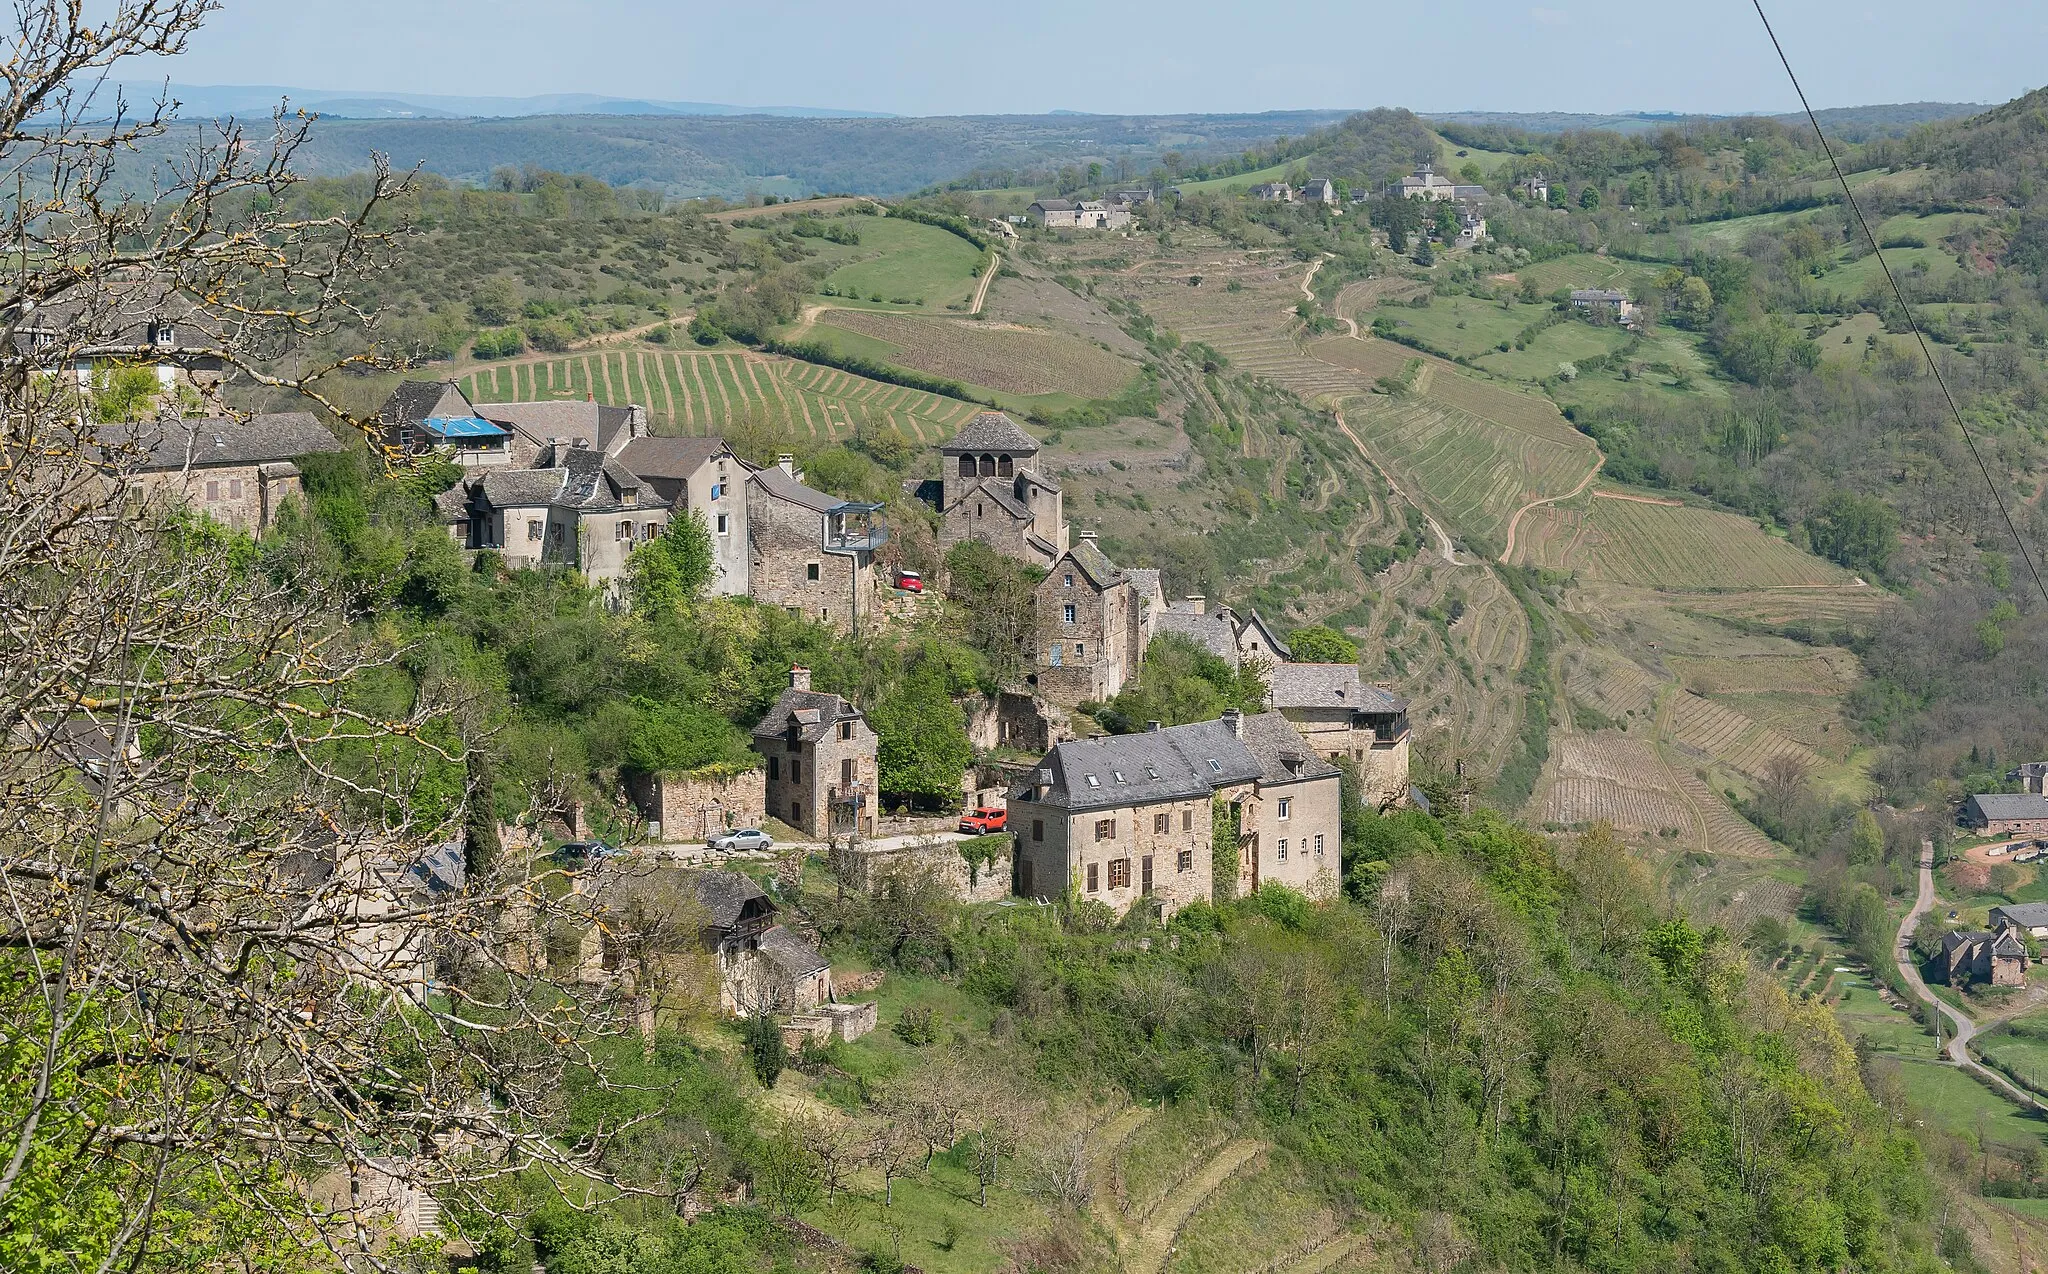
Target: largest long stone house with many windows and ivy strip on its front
x,y
1123,818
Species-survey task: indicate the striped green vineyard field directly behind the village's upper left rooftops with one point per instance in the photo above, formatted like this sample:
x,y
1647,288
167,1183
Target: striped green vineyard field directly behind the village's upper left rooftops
x,y
701,392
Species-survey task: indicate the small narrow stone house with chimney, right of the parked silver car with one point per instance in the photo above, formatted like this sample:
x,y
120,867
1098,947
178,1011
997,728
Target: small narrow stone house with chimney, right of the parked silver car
x,y
820,757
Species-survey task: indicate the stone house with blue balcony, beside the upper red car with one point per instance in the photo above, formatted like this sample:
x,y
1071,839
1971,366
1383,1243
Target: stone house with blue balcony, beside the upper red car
x,y
808,552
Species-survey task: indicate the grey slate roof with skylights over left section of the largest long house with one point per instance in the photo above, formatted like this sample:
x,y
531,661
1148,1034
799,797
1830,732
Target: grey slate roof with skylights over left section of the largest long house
x,y
1160,765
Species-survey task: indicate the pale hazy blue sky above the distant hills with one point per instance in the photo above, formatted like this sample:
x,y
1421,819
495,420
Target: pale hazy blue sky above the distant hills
x,y
1138,56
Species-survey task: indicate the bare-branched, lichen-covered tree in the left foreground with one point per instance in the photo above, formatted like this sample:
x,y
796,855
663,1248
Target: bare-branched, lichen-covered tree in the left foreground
x,y
245,976
